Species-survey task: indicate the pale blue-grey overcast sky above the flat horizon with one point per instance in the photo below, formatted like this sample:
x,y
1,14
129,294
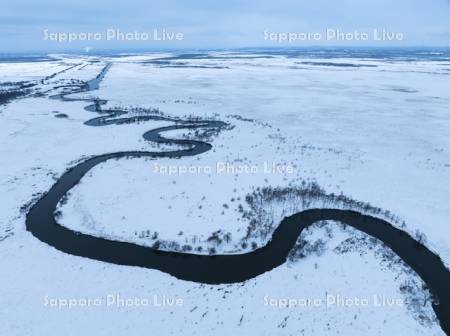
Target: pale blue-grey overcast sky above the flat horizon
x,y
219,24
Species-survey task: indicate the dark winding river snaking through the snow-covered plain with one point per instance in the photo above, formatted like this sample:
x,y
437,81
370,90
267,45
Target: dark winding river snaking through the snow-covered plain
x,y
212,269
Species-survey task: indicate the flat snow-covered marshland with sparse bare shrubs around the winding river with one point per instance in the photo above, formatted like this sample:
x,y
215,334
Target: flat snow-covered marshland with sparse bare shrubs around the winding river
x,y
366,131
